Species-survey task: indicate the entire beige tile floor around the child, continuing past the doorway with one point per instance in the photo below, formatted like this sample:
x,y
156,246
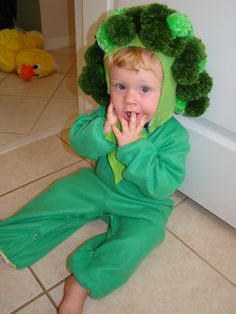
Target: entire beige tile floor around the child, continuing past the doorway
x,y
193,271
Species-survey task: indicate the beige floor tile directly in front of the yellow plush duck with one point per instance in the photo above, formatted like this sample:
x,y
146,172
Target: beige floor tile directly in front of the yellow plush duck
x,y
43,87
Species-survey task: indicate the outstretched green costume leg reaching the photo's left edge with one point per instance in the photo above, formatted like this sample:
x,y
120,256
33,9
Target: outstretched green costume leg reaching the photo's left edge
x,y
51,217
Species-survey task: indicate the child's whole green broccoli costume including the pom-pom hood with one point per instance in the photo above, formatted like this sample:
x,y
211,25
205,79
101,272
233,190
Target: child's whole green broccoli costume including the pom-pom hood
x,y
130,186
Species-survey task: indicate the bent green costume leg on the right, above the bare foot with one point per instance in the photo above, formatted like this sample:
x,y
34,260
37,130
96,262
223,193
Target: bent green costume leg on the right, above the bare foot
x,y
105,262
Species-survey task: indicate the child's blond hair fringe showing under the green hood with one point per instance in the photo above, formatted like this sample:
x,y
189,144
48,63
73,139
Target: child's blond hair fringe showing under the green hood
x,y
134,58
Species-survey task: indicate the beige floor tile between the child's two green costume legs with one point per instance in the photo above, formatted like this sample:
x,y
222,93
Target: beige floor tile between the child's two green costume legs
x,y
56,259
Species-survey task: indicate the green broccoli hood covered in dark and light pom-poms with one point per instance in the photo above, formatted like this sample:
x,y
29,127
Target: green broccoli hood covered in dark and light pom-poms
x,y
167,33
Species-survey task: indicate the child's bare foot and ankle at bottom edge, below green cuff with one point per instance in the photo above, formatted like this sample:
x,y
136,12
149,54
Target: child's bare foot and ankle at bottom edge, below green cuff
x,y
73,298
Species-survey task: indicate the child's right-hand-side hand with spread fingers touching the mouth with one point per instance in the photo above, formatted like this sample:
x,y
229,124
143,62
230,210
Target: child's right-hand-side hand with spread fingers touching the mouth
x,y
130,130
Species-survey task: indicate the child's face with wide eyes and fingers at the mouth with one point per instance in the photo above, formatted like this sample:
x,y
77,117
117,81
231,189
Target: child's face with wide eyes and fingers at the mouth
x,y
135,91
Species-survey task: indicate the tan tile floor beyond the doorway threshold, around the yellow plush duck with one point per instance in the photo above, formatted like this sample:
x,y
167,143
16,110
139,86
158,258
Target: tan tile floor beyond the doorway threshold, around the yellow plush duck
x,y
36,108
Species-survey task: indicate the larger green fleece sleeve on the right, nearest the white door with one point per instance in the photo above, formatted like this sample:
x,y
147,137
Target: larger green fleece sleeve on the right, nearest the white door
x,y
156,168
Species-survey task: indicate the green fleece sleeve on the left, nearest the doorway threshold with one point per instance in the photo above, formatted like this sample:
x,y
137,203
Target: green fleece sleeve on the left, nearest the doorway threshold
x,y
87,137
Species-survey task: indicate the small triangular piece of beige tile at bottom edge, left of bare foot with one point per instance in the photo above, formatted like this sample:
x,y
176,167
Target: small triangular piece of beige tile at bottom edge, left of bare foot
x,y
39,306
